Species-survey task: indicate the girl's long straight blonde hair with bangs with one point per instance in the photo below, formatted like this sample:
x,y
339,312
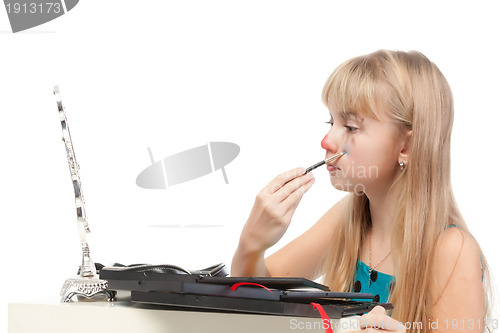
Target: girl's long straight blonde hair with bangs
x,y
410,90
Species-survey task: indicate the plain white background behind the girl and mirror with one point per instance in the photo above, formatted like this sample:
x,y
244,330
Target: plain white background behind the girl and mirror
x,y
174,75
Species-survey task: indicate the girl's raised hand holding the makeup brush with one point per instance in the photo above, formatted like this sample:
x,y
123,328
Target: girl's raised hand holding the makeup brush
x,y
273,210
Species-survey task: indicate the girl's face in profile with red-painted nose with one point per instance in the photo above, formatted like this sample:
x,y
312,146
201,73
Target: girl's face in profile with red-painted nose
x,y
373,148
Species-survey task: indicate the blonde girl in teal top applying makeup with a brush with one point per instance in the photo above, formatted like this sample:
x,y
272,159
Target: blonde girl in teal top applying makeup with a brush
x,y
399,233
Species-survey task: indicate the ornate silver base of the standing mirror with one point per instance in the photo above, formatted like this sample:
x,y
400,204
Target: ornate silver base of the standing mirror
x,y
87,287
